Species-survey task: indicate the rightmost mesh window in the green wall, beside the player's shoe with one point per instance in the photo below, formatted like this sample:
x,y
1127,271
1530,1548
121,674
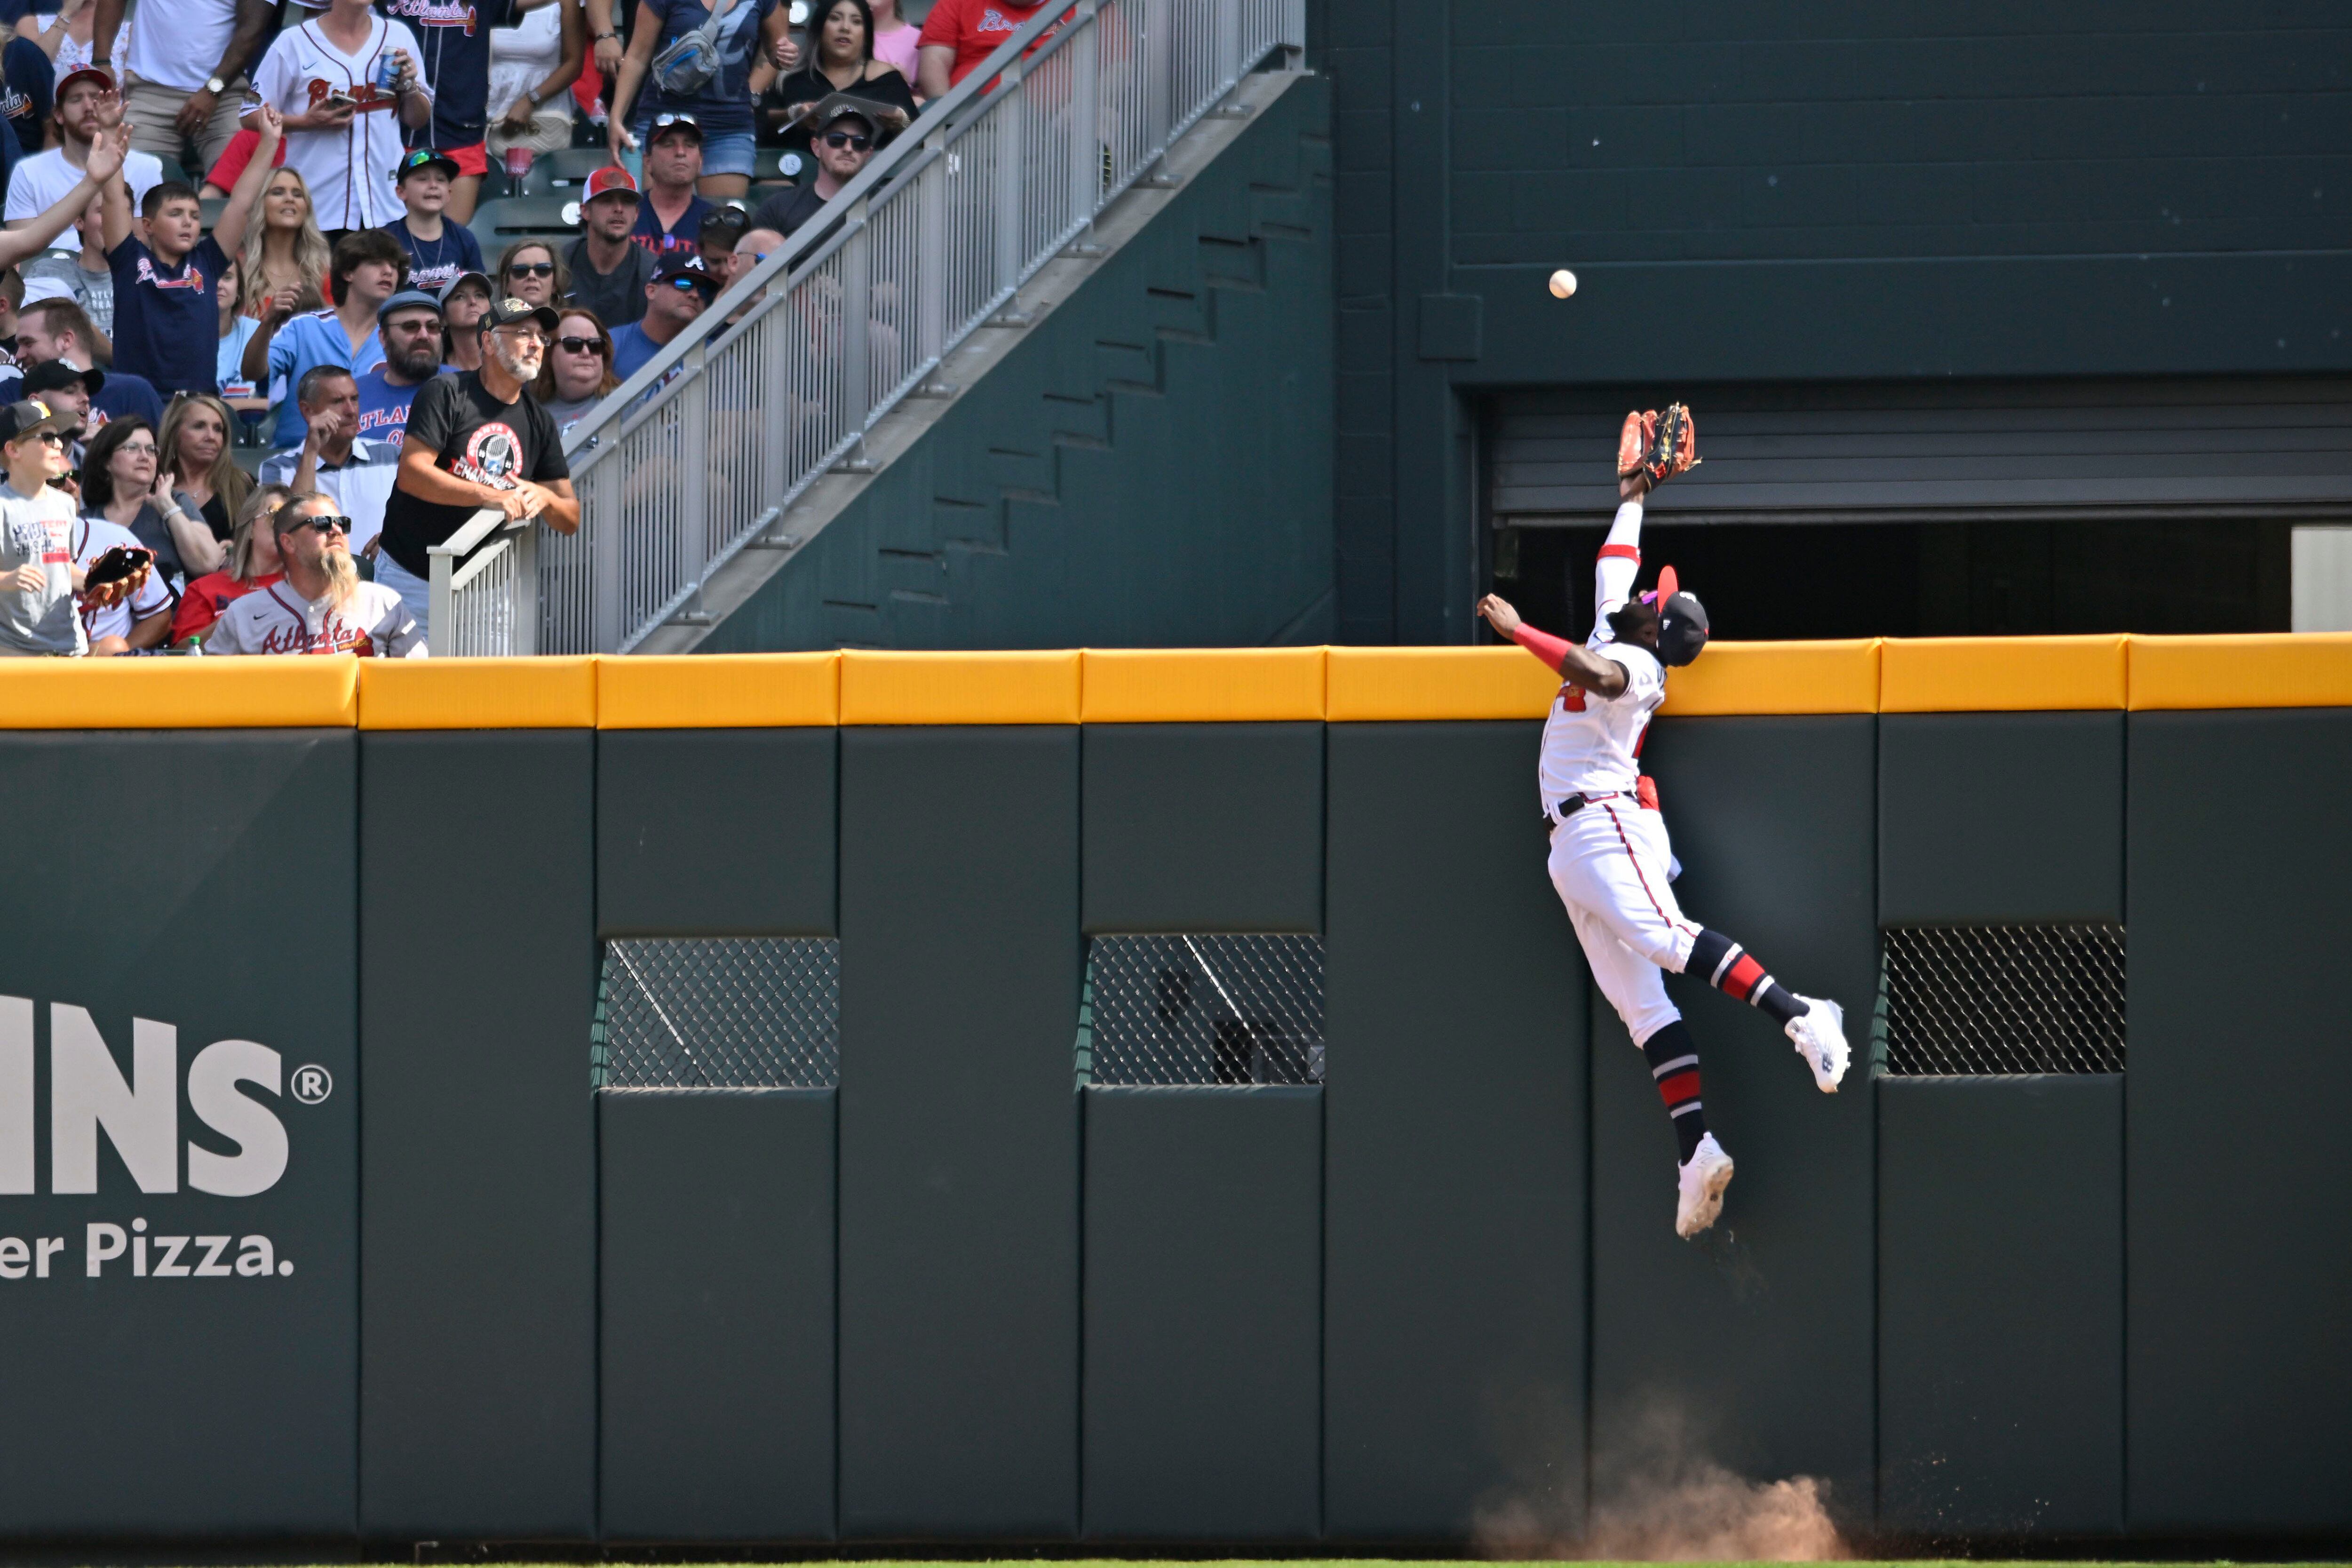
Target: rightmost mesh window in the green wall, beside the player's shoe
x,y
1991,1000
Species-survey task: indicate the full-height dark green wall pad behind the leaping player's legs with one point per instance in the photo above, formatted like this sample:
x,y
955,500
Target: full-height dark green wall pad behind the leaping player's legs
x,y
1758,1336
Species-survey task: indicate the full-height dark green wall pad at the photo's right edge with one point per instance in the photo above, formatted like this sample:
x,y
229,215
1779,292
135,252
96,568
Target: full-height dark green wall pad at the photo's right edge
x,y
2240,1388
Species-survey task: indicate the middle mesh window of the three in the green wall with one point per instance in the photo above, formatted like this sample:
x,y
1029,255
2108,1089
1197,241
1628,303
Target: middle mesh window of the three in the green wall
x,y
1203,1010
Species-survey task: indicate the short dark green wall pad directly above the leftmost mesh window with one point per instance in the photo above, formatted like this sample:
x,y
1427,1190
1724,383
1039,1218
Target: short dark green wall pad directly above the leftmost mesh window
x,y
716,831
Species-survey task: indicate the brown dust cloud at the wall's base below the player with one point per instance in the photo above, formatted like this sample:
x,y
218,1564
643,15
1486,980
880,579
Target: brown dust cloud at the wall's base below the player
x,y
1662,1499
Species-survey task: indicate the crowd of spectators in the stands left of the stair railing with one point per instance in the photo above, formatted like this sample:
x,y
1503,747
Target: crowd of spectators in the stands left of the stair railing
x,y
243,215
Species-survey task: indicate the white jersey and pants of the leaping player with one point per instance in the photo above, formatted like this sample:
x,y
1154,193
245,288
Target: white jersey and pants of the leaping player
x,y
1612,862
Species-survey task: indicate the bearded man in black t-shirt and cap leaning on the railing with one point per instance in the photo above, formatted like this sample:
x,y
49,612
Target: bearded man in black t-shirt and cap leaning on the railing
x,y
474,441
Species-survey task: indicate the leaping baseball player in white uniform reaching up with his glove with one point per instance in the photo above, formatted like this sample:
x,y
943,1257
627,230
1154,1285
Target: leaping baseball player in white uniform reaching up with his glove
x,y
1610,852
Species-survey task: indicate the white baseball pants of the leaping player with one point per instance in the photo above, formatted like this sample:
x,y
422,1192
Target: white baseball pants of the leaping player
x,y
1610,866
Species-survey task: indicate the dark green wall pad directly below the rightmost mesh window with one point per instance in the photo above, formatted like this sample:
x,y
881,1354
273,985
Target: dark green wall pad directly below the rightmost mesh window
x,y
2003,1306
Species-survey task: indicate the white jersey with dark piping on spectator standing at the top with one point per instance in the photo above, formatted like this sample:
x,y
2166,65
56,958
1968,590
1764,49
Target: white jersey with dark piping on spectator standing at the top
x,y
349,170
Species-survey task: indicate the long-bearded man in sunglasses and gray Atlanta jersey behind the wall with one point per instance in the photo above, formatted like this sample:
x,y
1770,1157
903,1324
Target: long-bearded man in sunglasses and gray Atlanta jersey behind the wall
x,y
321,605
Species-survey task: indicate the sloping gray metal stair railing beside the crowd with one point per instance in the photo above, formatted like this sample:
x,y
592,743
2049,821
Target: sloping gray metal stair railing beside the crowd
x,y
716,436
